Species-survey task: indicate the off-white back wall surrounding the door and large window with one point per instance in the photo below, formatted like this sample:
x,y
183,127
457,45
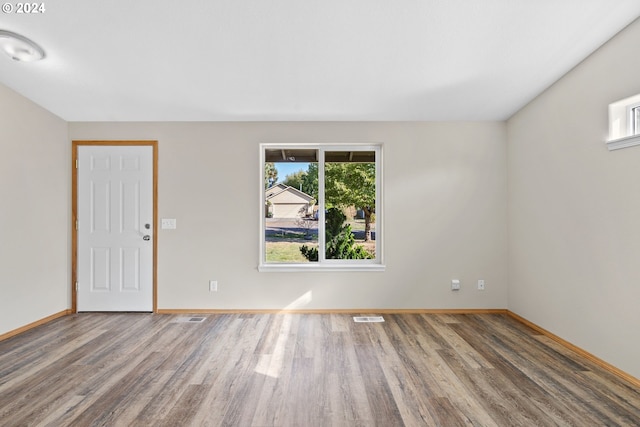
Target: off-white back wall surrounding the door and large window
x,y
445,215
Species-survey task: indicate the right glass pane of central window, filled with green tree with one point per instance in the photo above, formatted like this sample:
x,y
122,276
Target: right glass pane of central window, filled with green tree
x,y
350,204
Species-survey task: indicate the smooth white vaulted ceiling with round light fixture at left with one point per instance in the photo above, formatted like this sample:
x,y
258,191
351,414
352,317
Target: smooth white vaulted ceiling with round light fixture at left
x,y
272,60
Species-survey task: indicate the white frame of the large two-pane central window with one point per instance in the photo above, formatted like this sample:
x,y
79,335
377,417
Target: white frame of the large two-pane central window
x,y
324,264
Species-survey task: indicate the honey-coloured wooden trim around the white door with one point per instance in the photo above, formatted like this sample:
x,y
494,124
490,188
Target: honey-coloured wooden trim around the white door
x,y
74,213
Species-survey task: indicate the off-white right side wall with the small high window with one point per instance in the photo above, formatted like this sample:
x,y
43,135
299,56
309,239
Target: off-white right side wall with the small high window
x,y
574,209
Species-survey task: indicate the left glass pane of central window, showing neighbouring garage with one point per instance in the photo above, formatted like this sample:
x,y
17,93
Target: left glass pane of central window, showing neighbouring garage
x,y
291,194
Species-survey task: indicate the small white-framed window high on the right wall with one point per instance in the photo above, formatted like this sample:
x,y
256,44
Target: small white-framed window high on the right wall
x,y
621,123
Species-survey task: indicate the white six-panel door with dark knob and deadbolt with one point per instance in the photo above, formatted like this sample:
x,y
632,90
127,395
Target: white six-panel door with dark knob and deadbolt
x,y
115,228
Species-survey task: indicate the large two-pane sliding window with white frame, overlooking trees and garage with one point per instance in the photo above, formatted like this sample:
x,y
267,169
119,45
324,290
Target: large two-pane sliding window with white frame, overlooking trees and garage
x,y
321,207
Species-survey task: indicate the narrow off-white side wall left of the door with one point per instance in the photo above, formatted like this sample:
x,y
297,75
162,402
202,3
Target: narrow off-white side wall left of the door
x,y
34,212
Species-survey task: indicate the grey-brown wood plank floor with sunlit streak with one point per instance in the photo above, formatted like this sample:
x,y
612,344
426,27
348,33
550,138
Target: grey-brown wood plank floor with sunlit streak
x,y
302,370
